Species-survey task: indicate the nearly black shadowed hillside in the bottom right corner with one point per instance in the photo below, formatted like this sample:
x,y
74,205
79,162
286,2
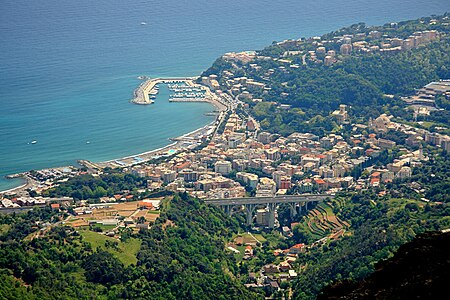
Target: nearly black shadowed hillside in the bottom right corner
x,y
419,269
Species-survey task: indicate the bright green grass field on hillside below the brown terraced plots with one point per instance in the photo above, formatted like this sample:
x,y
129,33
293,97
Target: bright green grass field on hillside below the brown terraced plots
x,y
126,252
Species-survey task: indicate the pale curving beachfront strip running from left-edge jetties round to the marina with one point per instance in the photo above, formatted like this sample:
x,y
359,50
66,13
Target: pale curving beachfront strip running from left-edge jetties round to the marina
x,y
178,144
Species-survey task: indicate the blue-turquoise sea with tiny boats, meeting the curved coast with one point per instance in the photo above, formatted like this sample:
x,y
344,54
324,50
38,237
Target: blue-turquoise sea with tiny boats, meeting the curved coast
x,y
68,68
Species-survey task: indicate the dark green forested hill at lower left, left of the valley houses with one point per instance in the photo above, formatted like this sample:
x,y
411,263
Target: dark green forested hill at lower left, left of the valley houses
x,y
181,257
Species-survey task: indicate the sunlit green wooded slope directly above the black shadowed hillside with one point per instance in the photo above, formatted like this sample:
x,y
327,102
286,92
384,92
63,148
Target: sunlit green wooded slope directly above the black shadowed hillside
x,y
379,225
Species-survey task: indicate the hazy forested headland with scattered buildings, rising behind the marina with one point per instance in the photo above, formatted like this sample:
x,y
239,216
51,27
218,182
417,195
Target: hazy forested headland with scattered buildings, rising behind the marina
x,y
314,77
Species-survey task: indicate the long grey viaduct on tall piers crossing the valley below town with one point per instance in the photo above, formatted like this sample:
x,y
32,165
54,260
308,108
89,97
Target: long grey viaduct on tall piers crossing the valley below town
x,y
250,204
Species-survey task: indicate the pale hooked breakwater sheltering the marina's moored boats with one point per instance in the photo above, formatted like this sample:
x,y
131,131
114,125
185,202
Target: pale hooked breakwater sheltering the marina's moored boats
x,y
149,87
